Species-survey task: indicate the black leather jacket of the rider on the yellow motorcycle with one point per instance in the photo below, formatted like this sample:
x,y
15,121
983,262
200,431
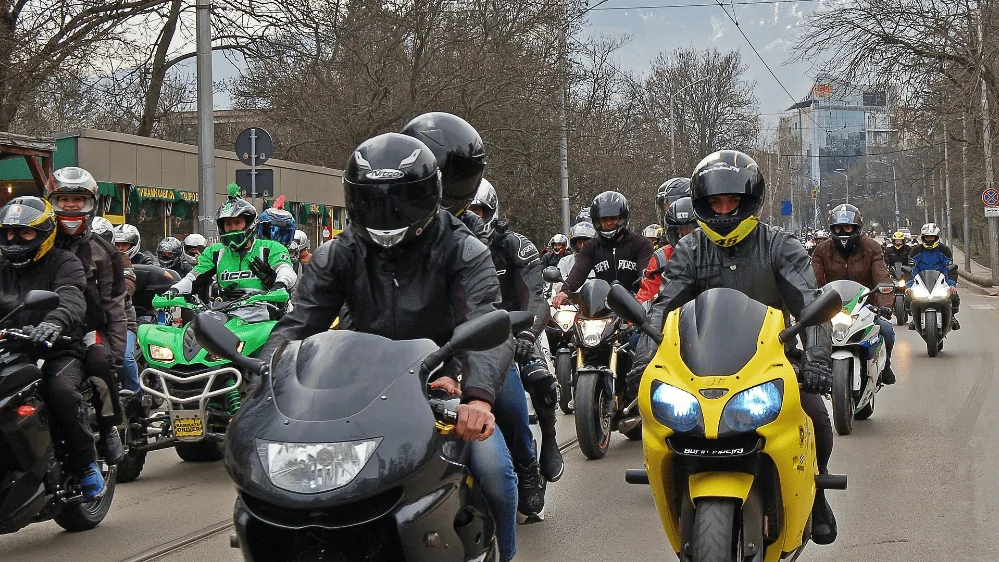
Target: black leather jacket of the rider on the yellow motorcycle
x,y
769,266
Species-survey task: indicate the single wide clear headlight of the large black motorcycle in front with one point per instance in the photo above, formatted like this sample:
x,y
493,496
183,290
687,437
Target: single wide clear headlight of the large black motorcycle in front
x,y
310,468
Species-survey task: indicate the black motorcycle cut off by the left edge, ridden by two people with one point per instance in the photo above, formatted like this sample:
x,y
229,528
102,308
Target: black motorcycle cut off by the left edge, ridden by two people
x,y
34,486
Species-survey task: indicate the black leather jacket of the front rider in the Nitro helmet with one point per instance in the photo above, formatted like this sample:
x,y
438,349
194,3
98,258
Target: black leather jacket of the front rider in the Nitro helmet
x,y
420,290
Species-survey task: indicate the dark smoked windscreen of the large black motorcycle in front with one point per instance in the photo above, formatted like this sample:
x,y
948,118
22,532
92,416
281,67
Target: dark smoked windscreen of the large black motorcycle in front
x,y
336,374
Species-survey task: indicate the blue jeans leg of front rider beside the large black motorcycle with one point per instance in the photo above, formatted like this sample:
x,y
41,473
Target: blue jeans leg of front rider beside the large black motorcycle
x,y
492,469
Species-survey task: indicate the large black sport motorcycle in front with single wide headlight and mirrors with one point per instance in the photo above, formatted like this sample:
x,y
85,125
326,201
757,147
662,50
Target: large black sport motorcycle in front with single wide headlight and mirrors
x,y
340,454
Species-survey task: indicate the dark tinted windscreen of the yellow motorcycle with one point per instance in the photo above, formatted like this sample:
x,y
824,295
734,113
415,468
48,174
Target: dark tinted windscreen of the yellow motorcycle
x,y
719,332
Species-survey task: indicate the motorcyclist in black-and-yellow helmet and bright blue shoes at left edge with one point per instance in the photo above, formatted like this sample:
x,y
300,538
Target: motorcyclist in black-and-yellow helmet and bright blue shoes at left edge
x,y
27,235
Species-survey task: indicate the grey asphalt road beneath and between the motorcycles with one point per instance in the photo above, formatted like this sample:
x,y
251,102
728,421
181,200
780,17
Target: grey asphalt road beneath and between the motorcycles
x,y
922,481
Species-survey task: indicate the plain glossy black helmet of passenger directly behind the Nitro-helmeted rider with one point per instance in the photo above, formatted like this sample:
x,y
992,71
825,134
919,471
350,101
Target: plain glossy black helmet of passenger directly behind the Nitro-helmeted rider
x,y
460,153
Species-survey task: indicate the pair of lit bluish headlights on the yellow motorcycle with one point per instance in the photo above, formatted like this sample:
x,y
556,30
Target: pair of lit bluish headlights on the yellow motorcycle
x,y
680,411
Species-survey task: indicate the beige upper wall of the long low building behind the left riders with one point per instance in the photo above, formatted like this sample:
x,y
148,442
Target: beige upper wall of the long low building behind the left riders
x,y
121,158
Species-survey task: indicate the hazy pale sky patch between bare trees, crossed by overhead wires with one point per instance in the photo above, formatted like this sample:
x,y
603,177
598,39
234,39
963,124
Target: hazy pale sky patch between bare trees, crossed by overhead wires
x,y
770,27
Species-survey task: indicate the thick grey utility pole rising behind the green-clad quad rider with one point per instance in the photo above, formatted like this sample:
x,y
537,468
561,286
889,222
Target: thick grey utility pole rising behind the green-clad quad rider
x,y
206,121
